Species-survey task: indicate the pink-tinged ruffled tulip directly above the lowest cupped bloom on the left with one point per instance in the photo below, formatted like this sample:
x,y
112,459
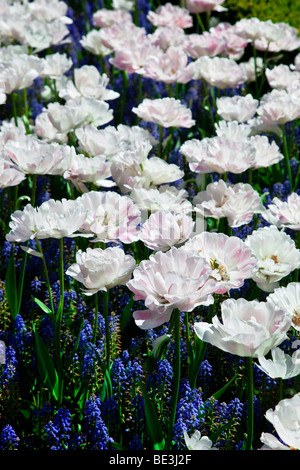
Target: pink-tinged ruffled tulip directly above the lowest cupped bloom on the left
x,y
110,217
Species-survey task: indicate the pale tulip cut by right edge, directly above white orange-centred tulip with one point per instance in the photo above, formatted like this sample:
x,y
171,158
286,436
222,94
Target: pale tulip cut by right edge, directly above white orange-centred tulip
x,y
284,214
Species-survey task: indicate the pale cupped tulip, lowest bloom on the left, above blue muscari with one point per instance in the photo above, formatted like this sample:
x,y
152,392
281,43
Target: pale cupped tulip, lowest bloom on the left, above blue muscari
x,y
99,269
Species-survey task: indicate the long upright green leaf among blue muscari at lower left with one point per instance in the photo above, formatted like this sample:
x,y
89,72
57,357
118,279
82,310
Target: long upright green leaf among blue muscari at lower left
x,y
46,366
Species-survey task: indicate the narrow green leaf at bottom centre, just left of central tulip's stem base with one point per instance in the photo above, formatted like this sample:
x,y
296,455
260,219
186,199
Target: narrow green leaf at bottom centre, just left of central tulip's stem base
x,y
152,421
